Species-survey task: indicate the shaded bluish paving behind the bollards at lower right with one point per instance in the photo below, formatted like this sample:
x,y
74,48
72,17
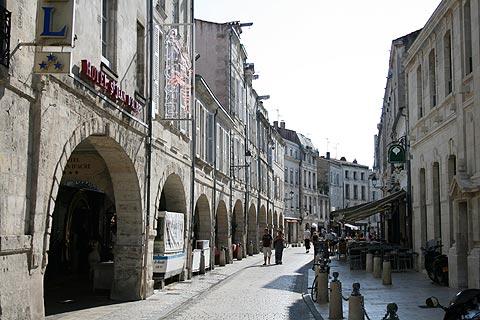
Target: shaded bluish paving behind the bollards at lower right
x,y
408,291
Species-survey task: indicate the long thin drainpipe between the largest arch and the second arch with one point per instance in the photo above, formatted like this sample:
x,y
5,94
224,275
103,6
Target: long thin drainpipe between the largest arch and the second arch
x,y
148,147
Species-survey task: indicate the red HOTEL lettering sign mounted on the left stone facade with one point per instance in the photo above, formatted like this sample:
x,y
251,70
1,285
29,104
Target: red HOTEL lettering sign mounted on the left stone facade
x,y
109,87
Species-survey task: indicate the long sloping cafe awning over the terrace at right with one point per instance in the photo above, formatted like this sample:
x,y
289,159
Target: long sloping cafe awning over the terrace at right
x,y
356,213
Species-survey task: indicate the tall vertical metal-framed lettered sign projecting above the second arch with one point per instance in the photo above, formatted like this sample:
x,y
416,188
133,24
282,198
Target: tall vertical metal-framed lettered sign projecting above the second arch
x,y
178,75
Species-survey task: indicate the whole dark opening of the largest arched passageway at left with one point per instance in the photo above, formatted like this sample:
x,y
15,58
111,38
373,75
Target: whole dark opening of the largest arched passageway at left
x,y
96,228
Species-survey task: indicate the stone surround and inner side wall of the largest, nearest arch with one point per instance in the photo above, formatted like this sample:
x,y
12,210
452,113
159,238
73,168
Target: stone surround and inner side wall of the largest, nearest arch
x,y
117,150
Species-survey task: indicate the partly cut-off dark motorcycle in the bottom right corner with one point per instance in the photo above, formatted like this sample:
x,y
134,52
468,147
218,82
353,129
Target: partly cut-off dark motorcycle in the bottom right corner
x,y
464,306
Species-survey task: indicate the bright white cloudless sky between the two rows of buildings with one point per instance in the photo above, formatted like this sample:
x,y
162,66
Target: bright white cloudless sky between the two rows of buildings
x,y
323,63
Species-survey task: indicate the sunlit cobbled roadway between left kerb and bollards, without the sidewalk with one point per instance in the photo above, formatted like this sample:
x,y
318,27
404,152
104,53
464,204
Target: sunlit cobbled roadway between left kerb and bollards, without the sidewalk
x,y
257,292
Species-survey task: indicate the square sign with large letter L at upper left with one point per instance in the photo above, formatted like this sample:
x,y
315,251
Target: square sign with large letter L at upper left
x,y
55,21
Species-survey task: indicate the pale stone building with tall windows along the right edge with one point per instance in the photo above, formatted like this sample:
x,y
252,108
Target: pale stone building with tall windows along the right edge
x,y
443,83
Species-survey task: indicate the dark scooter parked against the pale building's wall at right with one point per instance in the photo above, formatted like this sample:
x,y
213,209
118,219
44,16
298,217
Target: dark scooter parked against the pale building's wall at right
x,y
436,263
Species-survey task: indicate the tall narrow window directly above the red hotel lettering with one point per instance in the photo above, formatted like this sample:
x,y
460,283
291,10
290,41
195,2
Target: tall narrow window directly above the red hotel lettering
x,y
108,32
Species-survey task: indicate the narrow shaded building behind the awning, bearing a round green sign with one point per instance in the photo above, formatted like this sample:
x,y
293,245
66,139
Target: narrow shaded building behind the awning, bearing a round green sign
x,y
391,165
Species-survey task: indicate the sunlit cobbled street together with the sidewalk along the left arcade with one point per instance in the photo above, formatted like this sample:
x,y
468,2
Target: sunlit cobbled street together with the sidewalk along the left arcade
x,y
242,290
